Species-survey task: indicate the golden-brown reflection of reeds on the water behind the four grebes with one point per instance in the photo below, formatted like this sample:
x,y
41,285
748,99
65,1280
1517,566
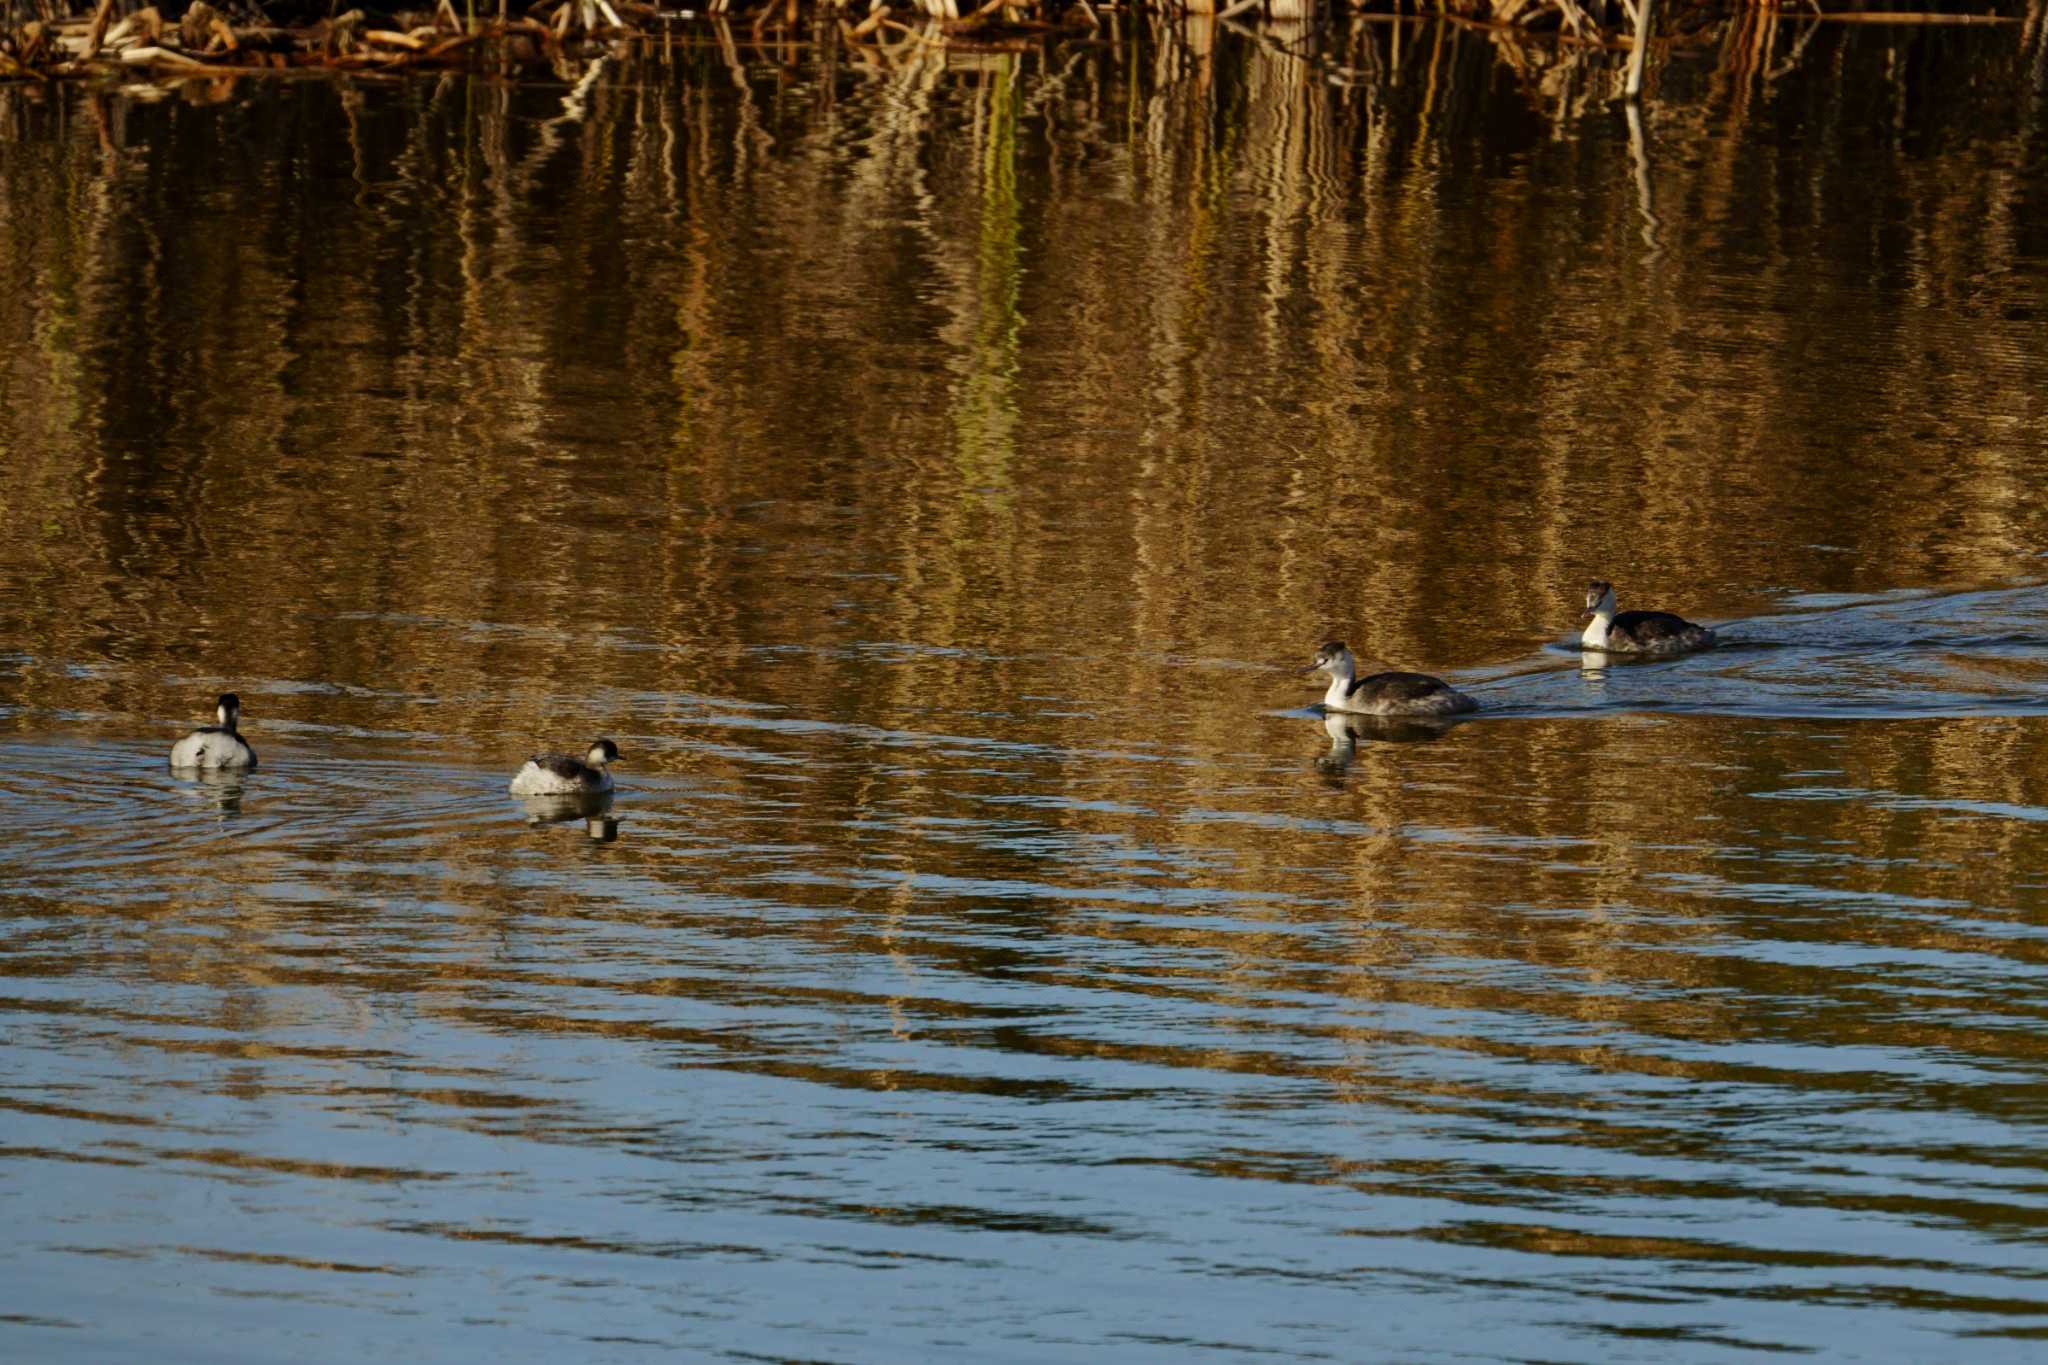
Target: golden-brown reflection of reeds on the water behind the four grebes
x,y
962,304
